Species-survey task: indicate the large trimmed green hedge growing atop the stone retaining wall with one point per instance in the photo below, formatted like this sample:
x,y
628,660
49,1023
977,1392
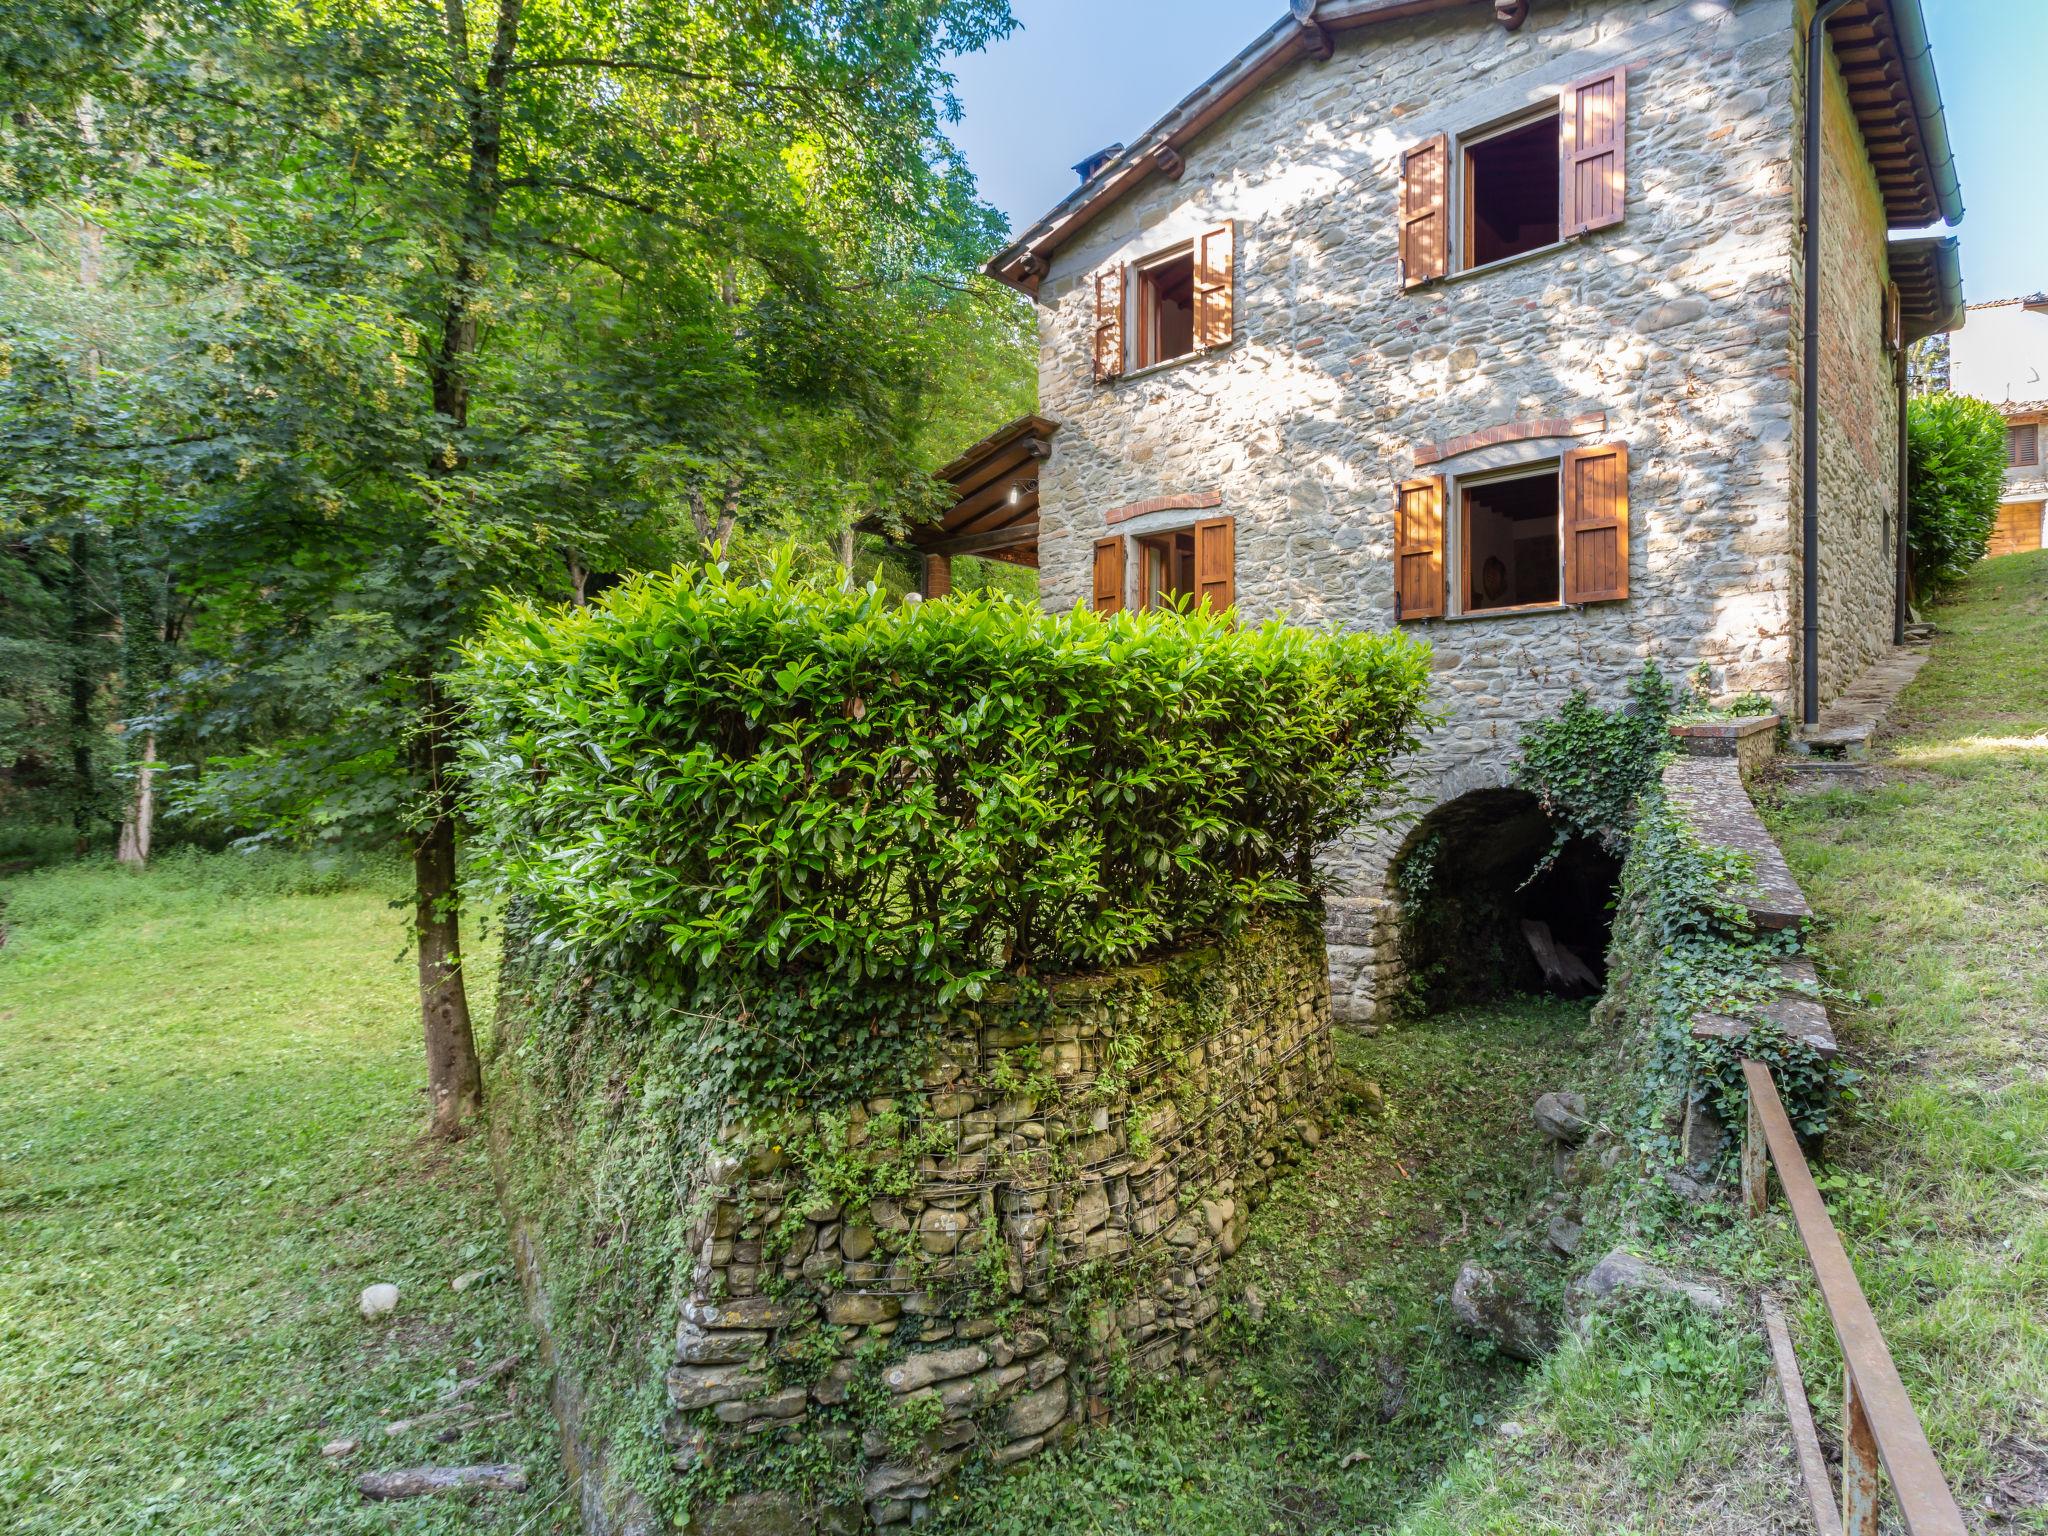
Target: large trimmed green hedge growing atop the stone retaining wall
x,y
820,800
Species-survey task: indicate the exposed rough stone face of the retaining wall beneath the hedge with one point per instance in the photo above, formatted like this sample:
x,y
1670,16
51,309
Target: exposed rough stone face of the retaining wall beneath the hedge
x,y
1164,1152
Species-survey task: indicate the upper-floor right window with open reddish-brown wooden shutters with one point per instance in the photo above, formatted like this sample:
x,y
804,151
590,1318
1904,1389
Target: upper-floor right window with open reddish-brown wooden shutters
x,y
1504,189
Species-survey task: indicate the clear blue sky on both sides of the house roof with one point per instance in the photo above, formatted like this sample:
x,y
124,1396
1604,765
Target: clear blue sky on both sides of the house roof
x,y
1080,75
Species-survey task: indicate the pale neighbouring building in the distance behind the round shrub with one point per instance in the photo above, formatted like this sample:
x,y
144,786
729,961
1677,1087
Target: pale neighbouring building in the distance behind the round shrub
x,y
2002,357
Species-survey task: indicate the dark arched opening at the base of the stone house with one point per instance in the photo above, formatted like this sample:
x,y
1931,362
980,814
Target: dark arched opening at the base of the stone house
x,y
1474,914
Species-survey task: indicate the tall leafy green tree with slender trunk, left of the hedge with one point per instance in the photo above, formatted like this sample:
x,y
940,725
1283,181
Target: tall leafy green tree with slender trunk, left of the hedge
x,y
495,296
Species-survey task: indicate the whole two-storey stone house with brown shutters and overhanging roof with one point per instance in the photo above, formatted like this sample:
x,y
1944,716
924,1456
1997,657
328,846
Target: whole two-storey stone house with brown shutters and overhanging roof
x,y
1486,321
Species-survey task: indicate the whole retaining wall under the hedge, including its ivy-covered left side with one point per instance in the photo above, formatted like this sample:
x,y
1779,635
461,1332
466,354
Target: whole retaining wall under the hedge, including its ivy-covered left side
x,y
855,1304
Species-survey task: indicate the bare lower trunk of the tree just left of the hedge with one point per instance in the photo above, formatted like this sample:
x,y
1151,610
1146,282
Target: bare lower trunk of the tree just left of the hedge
x,y
454,1078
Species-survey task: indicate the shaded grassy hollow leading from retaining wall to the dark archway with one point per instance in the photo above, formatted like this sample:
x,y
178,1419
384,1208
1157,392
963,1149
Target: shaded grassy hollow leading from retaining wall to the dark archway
x,y
1355,1385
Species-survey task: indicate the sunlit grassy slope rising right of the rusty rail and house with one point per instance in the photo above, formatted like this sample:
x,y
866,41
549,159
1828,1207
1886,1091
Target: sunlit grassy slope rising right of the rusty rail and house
x,y
1934,890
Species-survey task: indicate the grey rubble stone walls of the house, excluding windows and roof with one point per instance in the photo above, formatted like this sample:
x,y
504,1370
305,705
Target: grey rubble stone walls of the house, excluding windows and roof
x,y
1678,327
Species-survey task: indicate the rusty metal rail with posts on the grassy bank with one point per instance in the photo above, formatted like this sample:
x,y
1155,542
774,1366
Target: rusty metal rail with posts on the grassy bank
x,y
1879,1424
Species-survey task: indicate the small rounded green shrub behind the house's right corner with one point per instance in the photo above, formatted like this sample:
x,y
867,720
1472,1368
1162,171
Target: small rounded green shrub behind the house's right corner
x,y
1955,476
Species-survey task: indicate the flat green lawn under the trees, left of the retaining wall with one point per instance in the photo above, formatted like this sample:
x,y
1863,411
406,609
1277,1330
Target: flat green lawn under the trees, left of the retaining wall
x,y
210,1144
